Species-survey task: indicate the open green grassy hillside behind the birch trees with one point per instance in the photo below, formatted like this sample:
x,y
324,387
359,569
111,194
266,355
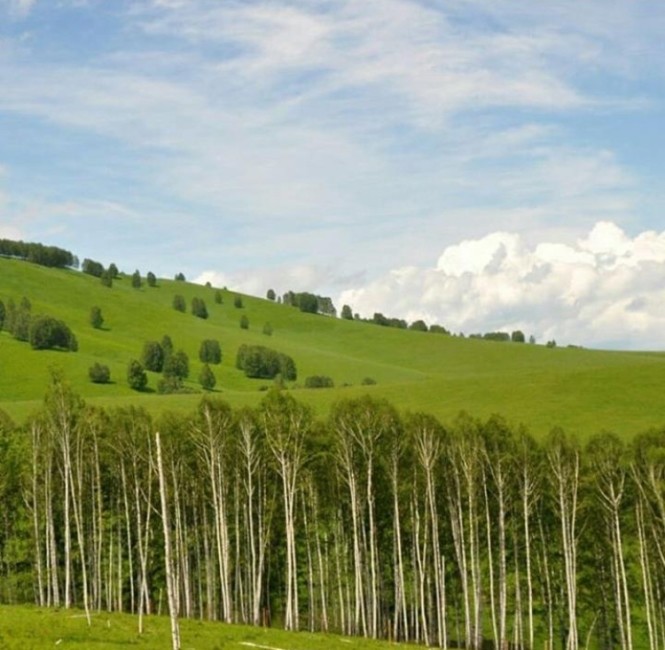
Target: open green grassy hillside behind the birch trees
x,y
582,390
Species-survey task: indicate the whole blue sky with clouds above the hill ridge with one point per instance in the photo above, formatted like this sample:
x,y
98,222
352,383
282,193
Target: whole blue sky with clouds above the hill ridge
x,y
481,164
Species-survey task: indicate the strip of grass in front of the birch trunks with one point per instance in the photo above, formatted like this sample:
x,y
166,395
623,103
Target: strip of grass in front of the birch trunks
x,y
31,628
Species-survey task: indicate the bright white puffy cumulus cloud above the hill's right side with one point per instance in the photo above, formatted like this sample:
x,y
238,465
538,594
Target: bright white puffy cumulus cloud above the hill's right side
x,y
603,290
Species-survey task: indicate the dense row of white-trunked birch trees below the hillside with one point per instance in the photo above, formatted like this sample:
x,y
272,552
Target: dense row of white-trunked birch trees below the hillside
x,y
368,522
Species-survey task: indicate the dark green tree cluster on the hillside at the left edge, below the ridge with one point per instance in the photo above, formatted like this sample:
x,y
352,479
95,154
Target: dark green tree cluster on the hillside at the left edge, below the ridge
x,y
43,332
